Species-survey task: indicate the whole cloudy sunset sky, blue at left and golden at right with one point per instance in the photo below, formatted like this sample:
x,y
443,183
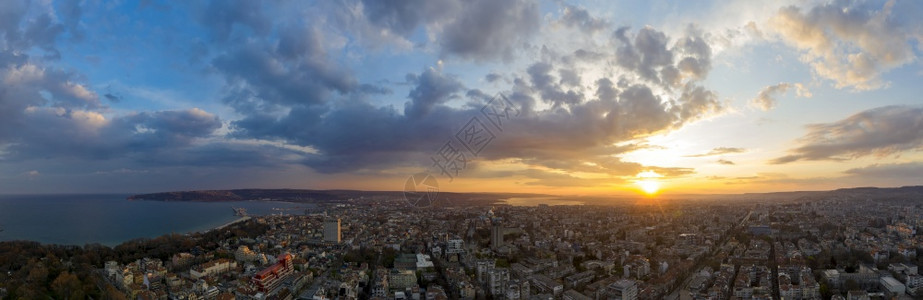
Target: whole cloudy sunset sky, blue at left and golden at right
x,y
559,97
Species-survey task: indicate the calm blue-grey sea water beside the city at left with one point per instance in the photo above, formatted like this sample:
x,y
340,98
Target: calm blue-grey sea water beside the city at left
x,y
110,219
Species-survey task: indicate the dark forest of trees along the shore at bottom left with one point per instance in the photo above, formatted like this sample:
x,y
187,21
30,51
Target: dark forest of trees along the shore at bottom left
x,y
30,270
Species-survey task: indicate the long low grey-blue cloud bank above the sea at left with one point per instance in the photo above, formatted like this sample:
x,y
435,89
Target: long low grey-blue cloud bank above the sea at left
x,y
89,135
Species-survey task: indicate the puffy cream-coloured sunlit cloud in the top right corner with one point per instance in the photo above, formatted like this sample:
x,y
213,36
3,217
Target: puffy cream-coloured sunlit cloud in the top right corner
x,y
852,43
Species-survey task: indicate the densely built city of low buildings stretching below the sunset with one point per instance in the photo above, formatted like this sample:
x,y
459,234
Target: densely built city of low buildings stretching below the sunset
x,y
380,248
